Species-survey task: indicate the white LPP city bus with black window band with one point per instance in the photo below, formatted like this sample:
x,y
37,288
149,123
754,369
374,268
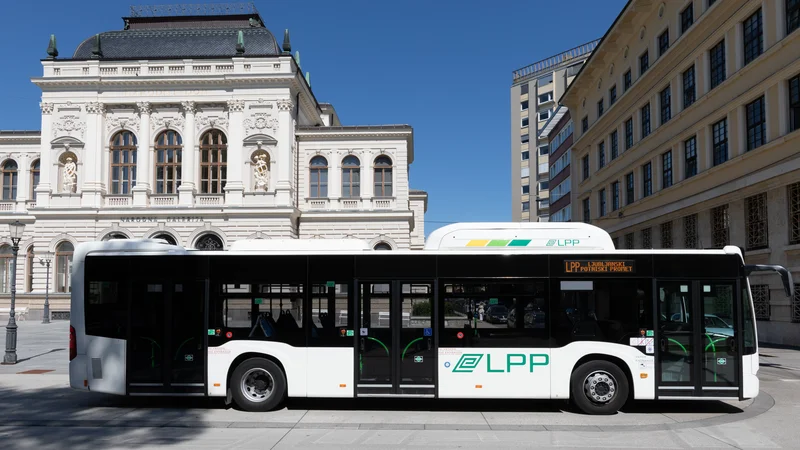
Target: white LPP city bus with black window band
x,y
538,310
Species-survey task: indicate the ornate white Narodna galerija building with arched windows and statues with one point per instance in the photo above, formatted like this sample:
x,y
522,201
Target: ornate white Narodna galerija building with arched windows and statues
x,y
200,128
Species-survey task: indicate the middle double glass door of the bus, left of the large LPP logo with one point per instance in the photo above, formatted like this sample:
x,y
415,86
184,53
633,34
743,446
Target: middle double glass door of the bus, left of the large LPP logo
x,y
395,352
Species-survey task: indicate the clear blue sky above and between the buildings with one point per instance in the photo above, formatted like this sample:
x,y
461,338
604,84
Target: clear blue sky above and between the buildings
x,y
442,66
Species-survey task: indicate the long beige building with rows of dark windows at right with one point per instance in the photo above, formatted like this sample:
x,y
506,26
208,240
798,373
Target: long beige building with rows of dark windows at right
x,y
687,135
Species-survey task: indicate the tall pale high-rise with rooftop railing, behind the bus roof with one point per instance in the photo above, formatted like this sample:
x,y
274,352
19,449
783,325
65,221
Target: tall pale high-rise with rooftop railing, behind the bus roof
x,y
535,91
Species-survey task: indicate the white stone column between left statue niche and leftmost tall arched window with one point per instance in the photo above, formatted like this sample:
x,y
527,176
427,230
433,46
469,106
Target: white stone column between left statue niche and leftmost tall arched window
x,y
90,193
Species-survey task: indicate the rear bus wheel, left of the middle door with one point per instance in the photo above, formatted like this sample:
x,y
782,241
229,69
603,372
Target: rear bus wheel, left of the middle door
x,y
258,384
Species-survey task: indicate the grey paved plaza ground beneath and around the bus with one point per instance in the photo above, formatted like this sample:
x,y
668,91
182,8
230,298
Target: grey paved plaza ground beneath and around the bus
x,y
40,411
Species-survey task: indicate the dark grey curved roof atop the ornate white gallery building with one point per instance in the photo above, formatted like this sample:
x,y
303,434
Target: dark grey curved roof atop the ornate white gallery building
x,y
155,43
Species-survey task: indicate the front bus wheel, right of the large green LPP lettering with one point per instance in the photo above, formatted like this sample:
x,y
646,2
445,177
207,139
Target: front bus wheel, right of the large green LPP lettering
x,y
599,387
